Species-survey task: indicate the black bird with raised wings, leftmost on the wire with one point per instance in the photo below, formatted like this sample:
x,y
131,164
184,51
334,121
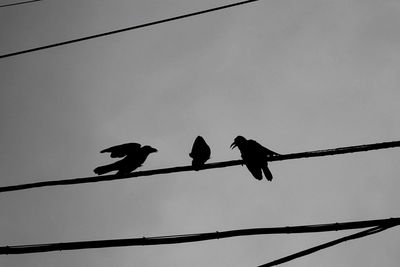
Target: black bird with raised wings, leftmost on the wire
x,y
134,156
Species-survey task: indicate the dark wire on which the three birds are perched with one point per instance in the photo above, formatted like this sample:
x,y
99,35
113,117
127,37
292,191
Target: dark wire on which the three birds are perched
x,y
222,164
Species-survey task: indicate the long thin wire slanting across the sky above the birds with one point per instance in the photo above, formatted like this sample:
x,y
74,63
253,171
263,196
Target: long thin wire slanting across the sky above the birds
x,y
126,29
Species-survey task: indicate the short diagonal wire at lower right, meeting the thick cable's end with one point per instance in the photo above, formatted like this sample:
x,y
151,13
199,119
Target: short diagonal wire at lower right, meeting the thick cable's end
x,y
303,253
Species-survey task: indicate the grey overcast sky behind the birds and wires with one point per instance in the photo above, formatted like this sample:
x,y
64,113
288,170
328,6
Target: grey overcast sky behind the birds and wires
x,y
293,75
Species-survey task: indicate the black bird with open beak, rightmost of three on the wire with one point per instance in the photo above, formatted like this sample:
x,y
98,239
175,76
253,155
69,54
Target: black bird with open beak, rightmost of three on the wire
x,y
255,157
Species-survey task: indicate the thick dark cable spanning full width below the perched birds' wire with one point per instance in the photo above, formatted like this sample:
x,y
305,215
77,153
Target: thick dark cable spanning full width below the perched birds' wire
x,y
185,238
